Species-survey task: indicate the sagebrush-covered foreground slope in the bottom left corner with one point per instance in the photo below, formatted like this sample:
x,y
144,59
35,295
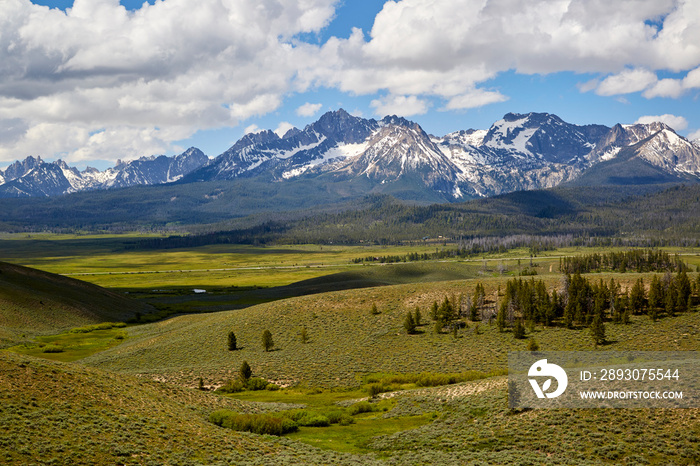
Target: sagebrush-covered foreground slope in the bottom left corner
x,y
57,413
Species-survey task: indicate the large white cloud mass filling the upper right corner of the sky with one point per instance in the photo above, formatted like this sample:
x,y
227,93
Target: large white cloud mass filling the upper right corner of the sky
x,y
445,48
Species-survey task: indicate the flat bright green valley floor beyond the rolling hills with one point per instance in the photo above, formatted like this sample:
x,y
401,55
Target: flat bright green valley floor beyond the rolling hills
x,y
105,260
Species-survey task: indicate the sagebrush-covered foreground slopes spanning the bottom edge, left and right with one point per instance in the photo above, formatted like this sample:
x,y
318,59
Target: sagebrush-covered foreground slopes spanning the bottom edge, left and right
x,y
87,416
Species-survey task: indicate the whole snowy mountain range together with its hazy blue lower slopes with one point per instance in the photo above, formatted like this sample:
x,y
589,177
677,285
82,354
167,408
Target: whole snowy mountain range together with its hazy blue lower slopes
x,y
341,158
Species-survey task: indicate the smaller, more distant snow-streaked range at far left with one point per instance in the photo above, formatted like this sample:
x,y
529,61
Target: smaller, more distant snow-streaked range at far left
x,y
35,177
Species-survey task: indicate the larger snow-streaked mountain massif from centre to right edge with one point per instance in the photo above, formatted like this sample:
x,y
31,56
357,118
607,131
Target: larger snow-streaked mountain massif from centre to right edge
x,y
521,151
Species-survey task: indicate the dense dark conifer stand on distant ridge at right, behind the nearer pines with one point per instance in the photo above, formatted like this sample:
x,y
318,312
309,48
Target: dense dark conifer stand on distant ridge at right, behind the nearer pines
x,y
637,260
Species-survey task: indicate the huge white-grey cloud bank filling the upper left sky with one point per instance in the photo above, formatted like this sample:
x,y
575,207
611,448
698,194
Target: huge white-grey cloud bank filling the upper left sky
x,y
91,78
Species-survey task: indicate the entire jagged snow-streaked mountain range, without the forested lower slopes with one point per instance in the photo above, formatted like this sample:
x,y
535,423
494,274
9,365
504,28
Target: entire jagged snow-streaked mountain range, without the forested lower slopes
x,y
394,155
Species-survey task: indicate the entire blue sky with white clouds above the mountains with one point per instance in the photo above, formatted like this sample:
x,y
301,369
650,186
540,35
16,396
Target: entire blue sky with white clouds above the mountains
x,y
93,81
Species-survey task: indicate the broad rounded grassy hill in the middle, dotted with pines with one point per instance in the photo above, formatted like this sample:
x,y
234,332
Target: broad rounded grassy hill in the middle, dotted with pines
x,y
345,340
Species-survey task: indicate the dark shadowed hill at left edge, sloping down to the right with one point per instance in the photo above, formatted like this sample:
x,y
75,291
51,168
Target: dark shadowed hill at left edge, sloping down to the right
x,y
34,302
